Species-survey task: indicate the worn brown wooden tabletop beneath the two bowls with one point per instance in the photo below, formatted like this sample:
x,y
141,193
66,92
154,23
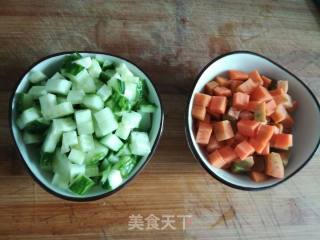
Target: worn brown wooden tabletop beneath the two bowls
x,y
171,41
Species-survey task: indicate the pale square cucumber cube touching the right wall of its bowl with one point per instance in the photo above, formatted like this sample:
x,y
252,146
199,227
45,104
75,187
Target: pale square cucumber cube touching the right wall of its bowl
x,y
139,143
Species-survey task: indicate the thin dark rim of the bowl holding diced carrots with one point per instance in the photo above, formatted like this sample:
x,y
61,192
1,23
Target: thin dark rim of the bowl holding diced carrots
x,y
195,152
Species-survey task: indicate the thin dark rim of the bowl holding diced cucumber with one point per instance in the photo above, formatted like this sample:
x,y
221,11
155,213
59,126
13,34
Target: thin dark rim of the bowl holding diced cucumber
x,y
106,194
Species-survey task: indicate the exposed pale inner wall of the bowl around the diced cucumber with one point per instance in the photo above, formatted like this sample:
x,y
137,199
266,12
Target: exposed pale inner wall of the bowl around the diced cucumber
x,y
29,153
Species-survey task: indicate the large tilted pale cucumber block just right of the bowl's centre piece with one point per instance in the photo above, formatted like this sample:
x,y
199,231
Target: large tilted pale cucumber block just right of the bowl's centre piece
x,y
106,121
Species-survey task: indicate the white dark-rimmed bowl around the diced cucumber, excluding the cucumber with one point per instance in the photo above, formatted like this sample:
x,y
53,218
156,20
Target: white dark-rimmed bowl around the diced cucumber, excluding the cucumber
x,y
50,65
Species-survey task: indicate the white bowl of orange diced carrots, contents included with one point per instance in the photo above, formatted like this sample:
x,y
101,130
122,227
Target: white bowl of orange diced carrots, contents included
x,y
250,122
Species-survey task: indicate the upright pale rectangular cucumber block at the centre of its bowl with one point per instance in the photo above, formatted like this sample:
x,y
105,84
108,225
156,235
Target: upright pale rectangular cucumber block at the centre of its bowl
x,y
84,121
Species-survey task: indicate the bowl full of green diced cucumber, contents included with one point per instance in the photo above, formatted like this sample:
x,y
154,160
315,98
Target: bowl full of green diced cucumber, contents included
x,y
85,123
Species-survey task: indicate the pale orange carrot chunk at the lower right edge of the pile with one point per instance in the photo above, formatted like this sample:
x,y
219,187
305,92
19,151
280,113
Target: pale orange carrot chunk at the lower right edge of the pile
x,y
274,165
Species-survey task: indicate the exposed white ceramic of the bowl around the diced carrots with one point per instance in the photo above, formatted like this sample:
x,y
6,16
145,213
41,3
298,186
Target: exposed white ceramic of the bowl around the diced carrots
x,y
307,117
